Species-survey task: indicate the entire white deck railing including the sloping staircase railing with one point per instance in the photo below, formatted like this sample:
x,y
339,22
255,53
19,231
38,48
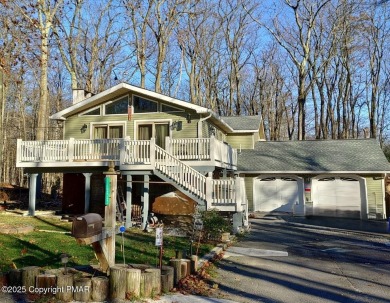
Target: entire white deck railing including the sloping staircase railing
x,y
128,152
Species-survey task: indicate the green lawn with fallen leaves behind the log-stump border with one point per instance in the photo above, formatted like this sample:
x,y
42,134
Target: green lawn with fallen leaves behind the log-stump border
x,y
43,248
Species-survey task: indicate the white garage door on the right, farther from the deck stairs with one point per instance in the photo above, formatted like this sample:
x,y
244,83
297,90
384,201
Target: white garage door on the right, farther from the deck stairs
x,y
336,197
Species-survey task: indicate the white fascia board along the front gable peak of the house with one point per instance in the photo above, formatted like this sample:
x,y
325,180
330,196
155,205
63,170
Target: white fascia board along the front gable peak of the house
x,y
95,100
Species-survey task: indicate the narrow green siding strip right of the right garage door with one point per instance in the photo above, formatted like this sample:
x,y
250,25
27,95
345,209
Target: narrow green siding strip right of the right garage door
x,y
375,198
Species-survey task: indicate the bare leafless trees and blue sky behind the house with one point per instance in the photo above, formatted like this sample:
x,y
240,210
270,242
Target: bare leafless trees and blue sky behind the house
x,y
311,69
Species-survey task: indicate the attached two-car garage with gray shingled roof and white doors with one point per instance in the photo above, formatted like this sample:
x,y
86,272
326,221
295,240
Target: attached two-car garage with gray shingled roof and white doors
x,y
343,178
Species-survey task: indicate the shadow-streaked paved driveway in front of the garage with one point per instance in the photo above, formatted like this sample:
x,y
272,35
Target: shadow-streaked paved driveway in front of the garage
x,y
287,259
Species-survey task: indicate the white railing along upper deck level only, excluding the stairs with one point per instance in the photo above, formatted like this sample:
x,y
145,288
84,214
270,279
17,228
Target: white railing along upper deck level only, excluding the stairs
x,y
128,151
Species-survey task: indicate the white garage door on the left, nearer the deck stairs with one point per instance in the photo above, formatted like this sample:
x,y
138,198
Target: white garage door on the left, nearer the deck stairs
x,y
275,194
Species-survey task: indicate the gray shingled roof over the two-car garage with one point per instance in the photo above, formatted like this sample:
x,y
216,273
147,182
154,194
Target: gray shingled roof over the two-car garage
x,y
362,156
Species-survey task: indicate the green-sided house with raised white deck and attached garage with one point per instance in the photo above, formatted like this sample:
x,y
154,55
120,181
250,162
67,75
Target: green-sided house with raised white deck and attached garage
x,y
159,144
